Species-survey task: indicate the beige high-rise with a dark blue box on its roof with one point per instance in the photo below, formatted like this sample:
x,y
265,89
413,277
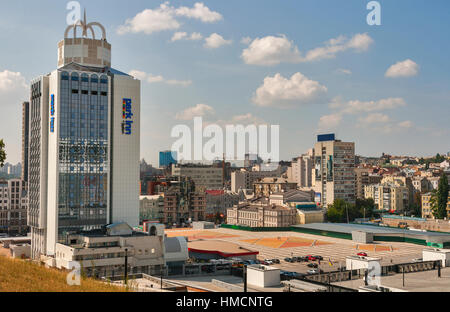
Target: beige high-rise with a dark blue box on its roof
x,y
334,170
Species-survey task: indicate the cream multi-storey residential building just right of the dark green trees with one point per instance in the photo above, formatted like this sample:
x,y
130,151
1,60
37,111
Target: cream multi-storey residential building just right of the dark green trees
x,y
388,196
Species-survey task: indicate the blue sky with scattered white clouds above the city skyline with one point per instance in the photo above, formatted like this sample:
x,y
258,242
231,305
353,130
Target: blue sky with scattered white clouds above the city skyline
x,y
346,85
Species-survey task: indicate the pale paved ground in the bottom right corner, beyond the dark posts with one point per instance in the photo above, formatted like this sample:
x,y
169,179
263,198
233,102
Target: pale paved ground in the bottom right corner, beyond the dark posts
x,y
427,281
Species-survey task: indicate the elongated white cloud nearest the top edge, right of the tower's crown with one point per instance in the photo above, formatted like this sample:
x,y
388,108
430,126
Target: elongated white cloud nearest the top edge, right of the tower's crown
x,y
165,18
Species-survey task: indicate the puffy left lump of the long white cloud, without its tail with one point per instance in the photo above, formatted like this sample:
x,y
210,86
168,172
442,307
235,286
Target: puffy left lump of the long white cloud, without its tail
x,y
271,50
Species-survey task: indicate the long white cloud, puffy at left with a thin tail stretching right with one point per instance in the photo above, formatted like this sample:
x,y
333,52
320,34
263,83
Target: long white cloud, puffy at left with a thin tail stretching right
x,y
272,50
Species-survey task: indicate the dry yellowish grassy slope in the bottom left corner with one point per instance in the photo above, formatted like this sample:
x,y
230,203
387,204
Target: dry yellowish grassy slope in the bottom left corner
x,y
21,276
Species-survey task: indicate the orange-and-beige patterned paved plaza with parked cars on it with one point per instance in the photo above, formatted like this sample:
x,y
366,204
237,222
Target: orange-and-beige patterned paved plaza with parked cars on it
x,y
333,249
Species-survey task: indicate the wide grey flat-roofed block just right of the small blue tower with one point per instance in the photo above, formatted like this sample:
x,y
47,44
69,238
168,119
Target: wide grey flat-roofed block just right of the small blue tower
x,y
205,177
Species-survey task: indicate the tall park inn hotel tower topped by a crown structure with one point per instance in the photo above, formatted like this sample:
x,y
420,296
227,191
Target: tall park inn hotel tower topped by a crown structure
x,y
84,142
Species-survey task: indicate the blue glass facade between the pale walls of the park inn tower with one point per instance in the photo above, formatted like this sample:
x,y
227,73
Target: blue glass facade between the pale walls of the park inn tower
x,y
83,151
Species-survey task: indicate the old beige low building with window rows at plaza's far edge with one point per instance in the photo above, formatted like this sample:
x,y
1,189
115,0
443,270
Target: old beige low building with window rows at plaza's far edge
x,y
259,213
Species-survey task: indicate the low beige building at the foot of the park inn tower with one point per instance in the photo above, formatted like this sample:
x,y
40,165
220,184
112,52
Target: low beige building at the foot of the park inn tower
x,y
102,254
